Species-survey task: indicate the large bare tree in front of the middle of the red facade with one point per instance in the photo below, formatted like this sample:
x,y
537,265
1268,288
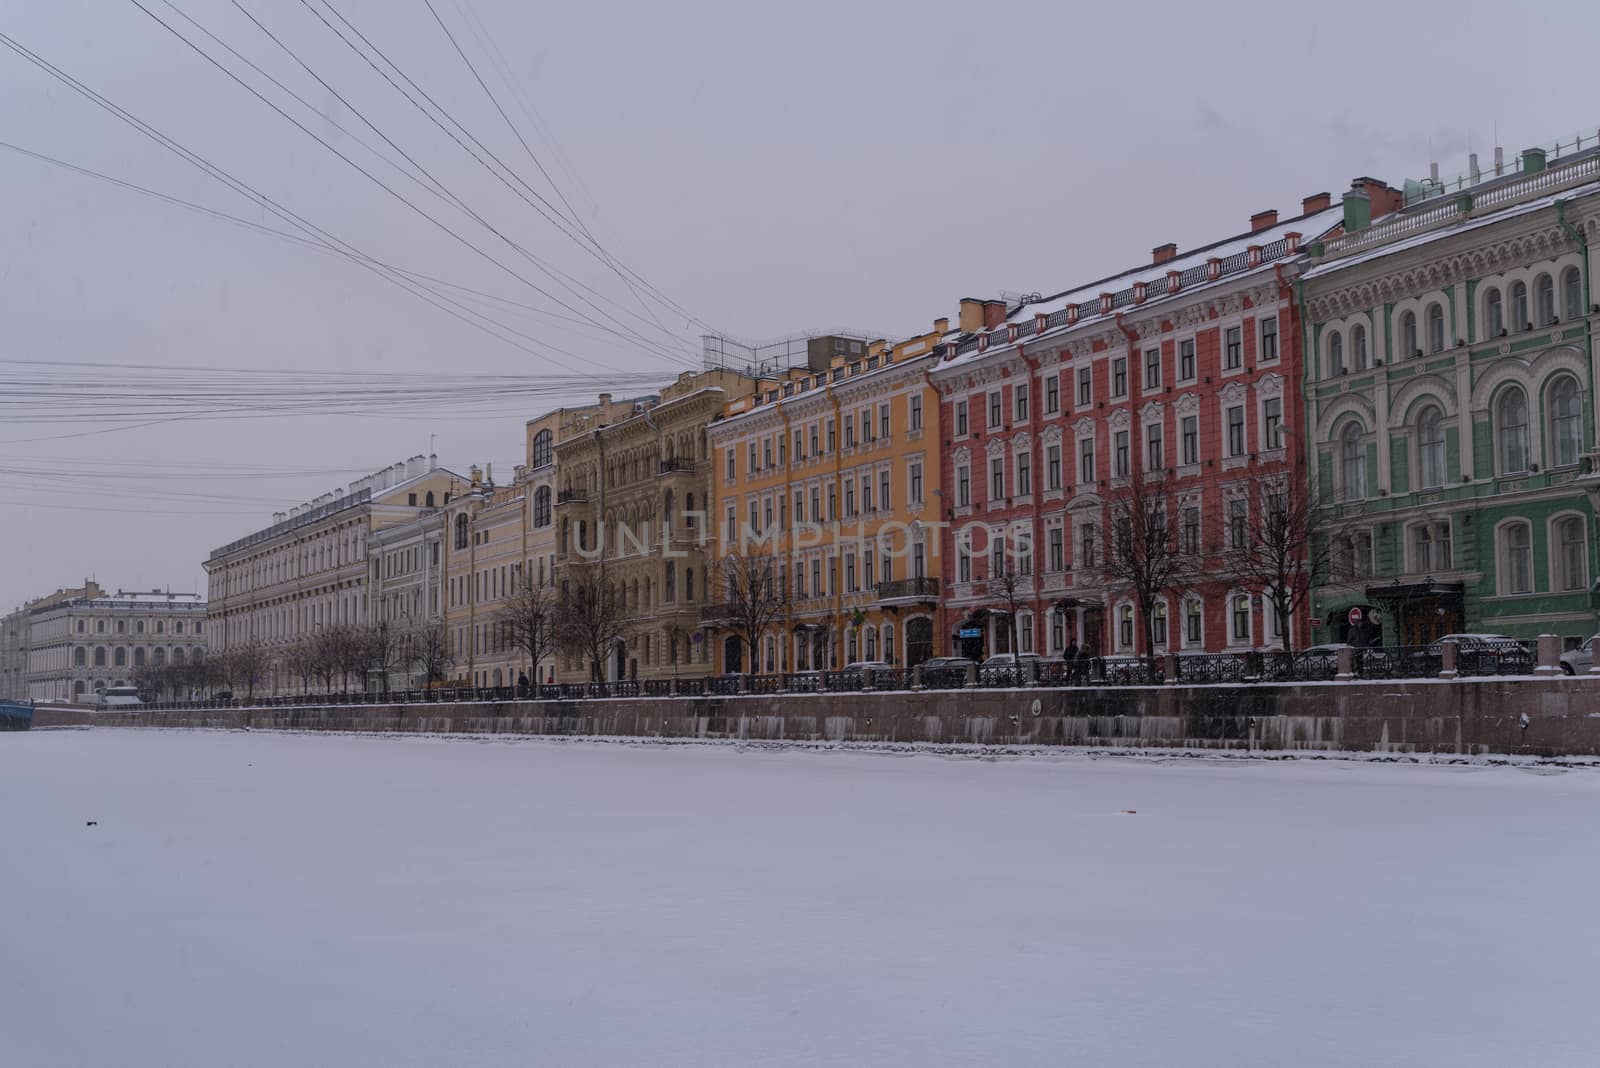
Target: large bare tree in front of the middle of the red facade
x,y
1145,554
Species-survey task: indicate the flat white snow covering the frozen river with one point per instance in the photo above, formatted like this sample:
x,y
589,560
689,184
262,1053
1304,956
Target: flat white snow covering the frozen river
x,y
273,899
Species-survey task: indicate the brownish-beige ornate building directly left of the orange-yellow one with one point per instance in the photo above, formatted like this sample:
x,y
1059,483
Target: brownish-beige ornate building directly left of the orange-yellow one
x,y
633,506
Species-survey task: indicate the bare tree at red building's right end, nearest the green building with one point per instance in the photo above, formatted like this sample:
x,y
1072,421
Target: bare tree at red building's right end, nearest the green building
x,y
1281,552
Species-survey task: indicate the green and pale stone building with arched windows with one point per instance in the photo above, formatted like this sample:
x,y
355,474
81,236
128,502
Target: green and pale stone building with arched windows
x,y
1450,385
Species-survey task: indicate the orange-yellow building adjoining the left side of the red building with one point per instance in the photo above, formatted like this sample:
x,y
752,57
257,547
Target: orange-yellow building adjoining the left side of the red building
x,y
842,461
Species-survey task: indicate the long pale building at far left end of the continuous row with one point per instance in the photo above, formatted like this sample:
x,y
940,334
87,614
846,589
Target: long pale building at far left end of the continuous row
x,y
311,568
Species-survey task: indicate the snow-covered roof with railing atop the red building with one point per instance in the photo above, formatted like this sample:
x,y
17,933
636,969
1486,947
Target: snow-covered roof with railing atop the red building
x,y
1194,269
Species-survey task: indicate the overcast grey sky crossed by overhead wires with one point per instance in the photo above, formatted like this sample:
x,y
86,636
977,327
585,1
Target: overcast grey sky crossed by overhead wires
x,y
770,169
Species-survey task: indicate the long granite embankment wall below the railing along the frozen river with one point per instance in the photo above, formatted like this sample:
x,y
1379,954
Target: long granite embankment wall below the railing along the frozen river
x,y
1546,717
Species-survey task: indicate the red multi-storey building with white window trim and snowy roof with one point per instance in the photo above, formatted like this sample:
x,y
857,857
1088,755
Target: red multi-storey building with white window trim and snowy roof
x,y
1177,380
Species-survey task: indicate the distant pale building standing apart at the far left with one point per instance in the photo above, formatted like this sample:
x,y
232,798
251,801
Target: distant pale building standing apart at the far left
x,y
82,642
